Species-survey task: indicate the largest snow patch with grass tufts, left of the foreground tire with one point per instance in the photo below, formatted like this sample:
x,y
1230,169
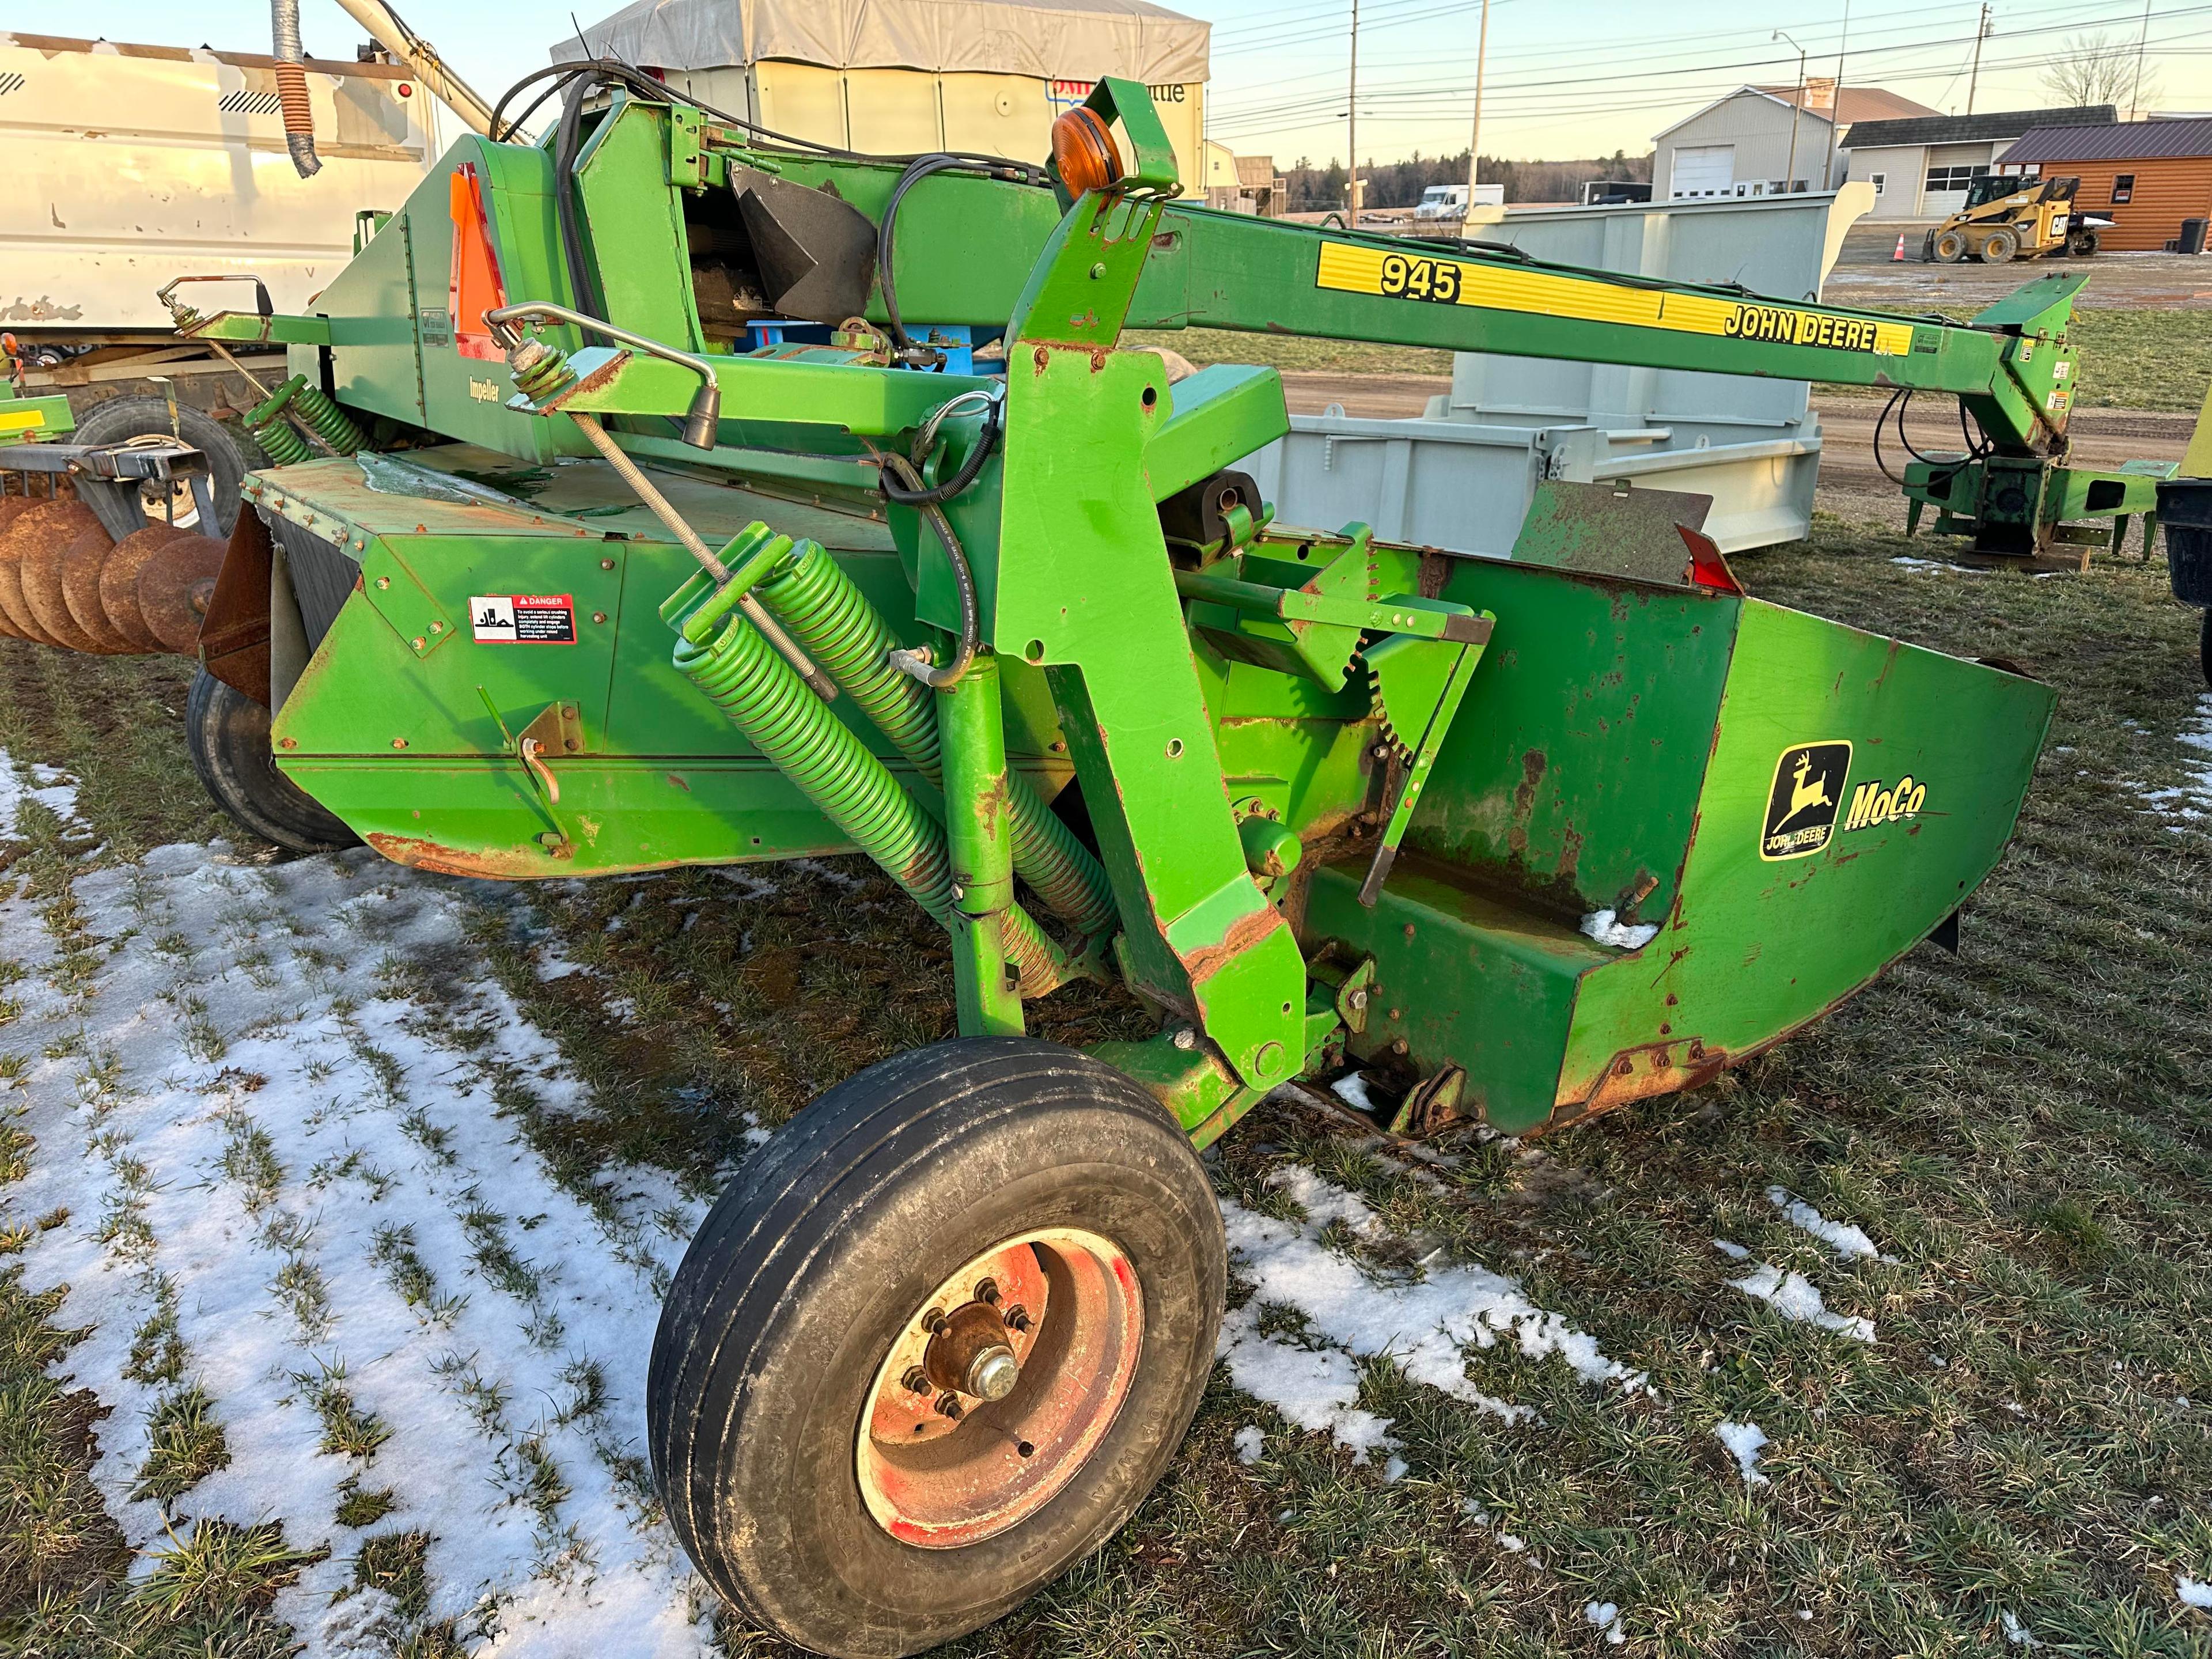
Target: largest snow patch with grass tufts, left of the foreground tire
x,y
293,1193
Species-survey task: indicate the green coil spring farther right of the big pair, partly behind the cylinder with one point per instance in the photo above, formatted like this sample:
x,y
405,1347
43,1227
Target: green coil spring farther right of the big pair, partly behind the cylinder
x,y
835,623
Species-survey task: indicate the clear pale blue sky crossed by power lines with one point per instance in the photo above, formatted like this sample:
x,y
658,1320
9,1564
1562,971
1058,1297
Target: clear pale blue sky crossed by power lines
x,y
1565,76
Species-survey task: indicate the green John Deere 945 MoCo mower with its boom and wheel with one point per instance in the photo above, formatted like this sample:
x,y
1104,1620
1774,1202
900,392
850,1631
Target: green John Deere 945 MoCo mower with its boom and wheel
x,y
711,499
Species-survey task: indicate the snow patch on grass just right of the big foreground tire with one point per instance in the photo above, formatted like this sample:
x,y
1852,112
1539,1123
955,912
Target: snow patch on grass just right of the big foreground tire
x,y
1350,1315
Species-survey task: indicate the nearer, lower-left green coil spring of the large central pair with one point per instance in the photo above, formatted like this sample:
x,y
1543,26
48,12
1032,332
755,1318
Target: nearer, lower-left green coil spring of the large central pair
x,y
786,722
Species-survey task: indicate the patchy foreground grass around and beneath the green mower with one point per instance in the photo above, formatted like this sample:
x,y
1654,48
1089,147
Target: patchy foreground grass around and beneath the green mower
x,y
2025,1127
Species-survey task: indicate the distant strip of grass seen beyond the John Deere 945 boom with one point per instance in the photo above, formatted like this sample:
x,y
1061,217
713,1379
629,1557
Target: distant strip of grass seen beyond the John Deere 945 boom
x,y
2129,359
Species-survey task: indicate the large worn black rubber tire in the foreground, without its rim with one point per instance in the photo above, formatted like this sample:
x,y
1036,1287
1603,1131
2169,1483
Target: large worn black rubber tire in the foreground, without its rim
x,y
820,1253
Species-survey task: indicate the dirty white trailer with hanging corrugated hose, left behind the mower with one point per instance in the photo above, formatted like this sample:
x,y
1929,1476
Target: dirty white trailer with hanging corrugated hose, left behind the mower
x,y
143,165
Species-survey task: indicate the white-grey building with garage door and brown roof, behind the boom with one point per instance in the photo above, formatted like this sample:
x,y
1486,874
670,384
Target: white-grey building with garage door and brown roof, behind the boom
x,y
1742,145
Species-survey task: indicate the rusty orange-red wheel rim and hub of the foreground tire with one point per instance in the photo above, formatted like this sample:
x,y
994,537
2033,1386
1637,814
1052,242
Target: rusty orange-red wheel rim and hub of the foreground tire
x,y
1001,1388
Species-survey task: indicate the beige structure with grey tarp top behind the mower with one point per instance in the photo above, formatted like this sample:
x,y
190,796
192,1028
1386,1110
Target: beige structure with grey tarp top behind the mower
x,y
908,76
